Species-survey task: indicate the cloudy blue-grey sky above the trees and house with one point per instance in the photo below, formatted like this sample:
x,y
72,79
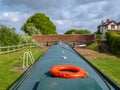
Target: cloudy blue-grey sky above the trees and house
x,y
65,14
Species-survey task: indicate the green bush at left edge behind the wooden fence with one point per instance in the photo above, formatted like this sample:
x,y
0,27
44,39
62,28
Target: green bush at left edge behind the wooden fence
x,y
8,36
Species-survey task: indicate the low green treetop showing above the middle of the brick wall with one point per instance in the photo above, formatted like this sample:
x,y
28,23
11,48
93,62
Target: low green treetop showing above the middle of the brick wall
x,y
74,31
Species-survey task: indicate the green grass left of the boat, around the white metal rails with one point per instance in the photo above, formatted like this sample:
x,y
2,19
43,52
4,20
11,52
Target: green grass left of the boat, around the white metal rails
x,y
11,60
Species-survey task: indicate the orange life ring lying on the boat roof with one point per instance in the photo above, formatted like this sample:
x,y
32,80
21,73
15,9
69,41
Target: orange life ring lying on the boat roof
x,y
68,71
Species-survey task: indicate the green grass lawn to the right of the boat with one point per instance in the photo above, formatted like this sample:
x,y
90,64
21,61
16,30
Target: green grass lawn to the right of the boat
x,y
110,67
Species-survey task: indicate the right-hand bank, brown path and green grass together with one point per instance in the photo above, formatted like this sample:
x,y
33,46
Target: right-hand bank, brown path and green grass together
x,y
105,62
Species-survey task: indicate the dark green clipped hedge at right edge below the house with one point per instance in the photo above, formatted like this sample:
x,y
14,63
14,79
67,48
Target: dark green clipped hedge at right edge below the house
x,y
114,42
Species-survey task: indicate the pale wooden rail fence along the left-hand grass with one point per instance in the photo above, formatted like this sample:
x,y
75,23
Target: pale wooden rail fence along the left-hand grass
x,y
8,49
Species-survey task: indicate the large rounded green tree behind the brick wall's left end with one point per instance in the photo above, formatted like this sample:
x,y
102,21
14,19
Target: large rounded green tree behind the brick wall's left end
x,y
39,24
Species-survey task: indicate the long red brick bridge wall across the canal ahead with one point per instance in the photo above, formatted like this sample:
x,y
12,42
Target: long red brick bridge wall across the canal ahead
x,y
76,39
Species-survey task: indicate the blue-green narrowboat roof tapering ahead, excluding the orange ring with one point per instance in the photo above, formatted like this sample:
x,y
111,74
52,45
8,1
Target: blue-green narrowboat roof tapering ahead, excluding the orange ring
x,y
38,76
